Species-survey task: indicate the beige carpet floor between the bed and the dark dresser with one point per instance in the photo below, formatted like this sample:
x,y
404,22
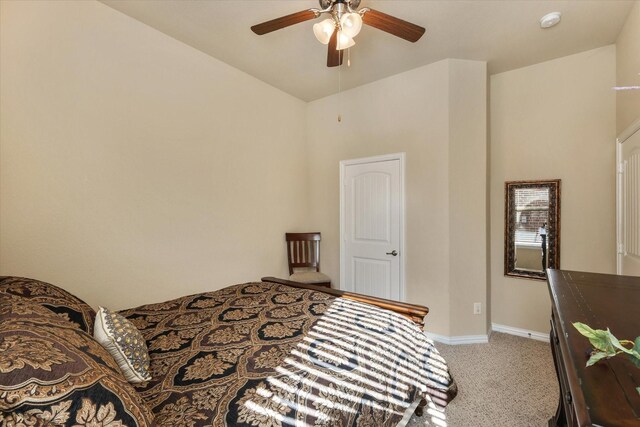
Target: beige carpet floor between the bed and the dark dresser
x,y
510,382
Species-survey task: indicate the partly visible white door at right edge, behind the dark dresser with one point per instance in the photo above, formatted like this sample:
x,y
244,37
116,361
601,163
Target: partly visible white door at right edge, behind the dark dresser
x,y
629,215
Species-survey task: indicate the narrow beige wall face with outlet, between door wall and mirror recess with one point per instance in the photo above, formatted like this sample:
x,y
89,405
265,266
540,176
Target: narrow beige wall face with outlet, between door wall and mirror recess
x,y
467,196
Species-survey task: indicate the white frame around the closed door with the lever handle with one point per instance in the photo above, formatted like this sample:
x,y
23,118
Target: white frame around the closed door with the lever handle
x,y
375,159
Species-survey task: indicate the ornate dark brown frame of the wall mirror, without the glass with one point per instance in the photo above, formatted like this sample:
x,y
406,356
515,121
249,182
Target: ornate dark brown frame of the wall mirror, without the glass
x,y
553,227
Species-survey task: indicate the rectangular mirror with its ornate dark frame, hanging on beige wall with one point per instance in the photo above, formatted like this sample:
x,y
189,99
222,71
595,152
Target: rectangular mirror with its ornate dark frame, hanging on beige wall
x,y
532,228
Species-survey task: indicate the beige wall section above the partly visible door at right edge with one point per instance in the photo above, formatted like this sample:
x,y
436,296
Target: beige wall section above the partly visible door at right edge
x,y
628,70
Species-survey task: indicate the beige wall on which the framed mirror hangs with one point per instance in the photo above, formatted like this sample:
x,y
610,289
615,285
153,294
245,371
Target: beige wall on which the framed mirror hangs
x,y
556,119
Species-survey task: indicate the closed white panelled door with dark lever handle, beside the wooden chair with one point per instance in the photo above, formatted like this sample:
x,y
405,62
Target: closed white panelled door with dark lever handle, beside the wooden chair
x,y
371,210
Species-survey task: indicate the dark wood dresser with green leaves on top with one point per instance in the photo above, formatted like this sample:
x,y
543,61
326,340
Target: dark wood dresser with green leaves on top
x,y
604,394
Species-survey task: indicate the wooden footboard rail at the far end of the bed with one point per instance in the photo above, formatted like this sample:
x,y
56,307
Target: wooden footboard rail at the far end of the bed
x,y
414,312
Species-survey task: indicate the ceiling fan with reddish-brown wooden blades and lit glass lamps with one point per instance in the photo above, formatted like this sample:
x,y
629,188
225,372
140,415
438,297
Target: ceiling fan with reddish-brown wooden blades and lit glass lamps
x,y
343,24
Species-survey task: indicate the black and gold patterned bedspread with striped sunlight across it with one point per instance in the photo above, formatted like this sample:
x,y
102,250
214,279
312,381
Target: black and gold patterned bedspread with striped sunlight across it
x,y
264,354
